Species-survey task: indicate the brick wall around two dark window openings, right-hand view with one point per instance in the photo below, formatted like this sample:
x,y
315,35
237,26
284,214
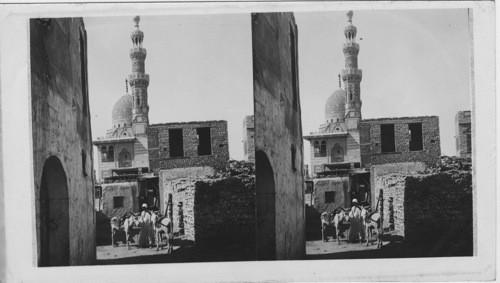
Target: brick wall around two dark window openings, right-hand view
x,y
370,139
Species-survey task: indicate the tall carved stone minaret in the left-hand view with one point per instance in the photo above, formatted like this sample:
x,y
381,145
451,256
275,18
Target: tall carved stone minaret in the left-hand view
x,y
139,81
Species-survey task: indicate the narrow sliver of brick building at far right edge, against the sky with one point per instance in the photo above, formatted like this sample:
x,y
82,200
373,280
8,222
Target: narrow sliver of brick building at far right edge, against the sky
x,y
463,134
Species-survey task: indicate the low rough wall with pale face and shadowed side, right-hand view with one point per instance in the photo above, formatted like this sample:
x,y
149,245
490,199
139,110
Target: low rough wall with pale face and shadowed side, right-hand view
x,y
429,207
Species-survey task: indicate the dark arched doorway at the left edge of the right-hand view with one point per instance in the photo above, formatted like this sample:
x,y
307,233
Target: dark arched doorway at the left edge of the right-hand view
x,y
265,207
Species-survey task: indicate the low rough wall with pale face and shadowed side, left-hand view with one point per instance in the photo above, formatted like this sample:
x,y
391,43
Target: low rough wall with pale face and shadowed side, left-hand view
x,y
215,210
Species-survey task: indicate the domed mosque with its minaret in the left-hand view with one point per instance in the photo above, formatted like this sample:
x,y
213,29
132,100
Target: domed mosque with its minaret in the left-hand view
x,y
124,149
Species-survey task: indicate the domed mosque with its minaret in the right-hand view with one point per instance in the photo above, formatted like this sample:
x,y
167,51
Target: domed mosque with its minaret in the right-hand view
x,y
336,144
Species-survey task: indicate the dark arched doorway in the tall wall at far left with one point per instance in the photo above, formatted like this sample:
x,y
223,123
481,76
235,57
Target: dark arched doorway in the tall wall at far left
x,y
54,215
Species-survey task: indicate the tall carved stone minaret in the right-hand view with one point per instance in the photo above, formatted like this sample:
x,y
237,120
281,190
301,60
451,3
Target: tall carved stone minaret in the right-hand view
x,y
351,76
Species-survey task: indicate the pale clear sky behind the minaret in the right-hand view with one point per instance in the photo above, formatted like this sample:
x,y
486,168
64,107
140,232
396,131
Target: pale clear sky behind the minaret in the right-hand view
x,y
414,62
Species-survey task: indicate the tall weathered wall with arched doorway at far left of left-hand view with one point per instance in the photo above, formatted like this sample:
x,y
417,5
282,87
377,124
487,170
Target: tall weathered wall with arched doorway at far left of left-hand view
x,y
62,149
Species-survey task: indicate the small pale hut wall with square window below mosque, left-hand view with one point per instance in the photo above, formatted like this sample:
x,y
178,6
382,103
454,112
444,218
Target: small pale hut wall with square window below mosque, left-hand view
x,y
128,190
